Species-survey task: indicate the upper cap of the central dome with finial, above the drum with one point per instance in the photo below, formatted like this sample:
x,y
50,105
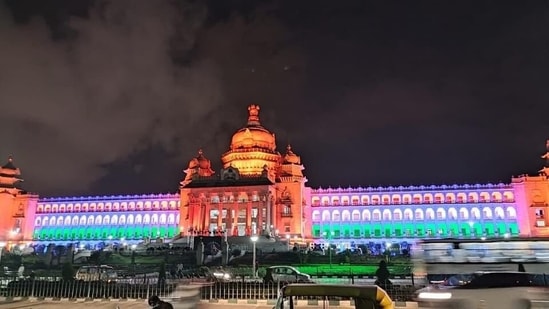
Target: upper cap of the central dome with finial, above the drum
x,y
254,135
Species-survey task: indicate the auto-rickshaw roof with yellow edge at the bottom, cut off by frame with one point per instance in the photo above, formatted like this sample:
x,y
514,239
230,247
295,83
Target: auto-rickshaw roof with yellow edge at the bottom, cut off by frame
x,y
347,296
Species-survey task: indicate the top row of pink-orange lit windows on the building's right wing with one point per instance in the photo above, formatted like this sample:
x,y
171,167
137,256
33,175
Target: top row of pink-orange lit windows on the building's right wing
x,y
415,198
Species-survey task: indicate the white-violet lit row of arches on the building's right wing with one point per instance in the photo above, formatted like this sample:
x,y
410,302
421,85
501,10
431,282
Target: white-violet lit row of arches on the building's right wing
x,y
440,213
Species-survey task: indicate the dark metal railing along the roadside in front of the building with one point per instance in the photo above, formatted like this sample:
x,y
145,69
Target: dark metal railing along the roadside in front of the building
x,y
59,289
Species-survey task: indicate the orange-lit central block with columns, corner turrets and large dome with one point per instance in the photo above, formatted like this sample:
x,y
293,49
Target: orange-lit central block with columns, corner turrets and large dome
x,y
258,190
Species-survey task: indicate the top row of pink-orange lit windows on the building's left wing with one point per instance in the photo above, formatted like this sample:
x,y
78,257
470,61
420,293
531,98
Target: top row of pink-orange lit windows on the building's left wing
x,y
107,206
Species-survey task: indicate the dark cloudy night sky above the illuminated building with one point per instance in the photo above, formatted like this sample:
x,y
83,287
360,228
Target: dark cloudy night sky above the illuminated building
x,y
115,97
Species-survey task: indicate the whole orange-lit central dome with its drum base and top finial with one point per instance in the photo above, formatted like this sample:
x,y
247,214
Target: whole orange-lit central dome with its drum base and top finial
x,y
253,148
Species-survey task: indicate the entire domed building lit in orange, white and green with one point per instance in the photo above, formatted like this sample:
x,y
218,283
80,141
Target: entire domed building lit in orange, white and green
x,y
259,190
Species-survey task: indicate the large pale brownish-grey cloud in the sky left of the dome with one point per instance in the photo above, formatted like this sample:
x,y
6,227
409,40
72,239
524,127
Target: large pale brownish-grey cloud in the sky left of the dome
x,y
75,104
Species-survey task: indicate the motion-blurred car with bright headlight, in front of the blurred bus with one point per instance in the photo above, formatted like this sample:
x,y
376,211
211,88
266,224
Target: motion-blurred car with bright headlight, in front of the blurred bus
x,y
497,290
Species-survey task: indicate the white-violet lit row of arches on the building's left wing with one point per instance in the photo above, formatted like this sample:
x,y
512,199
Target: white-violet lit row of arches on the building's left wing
x,y
171,218
